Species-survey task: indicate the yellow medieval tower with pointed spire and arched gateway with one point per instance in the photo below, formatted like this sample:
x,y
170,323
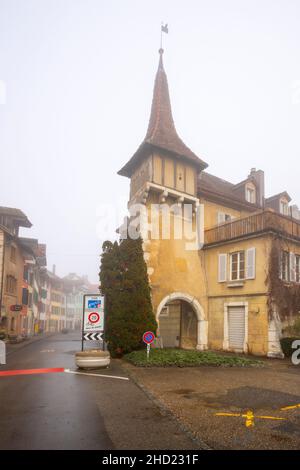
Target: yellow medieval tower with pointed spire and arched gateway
x,y
165,171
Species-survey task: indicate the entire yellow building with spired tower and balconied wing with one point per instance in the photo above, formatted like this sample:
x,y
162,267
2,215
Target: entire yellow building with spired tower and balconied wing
x,y
237,286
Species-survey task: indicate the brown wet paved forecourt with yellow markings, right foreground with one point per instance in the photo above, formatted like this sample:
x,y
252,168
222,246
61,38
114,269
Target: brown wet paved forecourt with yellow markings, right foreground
x,y
194,395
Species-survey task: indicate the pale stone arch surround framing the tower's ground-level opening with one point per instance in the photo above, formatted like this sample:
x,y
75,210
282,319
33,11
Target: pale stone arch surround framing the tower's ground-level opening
x,y
197,308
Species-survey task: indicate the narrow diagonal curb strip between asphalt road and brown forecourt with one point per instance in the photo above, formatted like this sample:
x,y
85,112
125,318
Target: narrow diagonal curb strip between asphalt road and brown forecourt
x,y
165,410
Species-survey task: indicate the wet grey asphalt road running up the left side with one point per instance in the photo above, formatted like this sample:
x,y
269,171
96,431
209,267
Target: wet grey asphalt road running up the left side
x,y
66,411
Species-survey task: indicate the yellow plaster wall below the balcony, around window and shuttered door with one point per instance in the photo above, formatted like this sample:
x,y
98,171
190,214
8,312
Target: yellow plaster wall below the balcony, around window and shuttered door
x,y
253,291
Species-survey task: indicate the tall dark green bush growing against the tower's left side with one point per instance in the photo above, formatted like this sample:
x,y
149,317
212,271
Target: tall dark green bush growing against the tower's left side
x,y
124,281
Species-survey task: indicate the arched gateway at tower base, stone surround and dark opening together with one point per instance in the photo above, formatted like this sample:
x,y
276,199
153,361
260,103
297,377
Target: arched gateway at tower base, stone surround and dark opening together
x,y
175,314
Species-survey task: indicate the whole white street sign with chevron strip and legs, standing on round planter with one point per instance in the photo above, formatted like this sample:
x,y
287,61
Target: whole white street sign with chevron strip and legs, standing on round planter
x,y
93,318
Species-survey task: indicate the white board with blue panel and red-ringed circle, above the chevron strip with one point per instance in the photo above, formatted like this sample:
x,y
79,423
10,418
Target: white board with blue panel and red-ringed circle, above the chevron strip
x,y
93,313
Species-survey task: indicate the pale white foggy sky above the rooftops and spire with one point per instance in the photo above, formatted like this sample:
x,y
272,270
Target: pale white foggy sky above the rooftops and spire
x,y
79,78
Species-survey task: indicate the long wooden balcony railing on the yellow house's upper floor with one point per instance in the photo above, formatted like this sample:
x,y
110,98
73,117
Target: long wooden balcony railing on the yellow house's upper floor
x,y
264,221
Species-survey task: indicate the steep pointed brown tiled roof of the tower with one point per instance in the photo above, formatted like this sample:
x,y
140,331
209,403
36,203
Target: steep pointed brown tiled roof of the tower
x,y
161,133
